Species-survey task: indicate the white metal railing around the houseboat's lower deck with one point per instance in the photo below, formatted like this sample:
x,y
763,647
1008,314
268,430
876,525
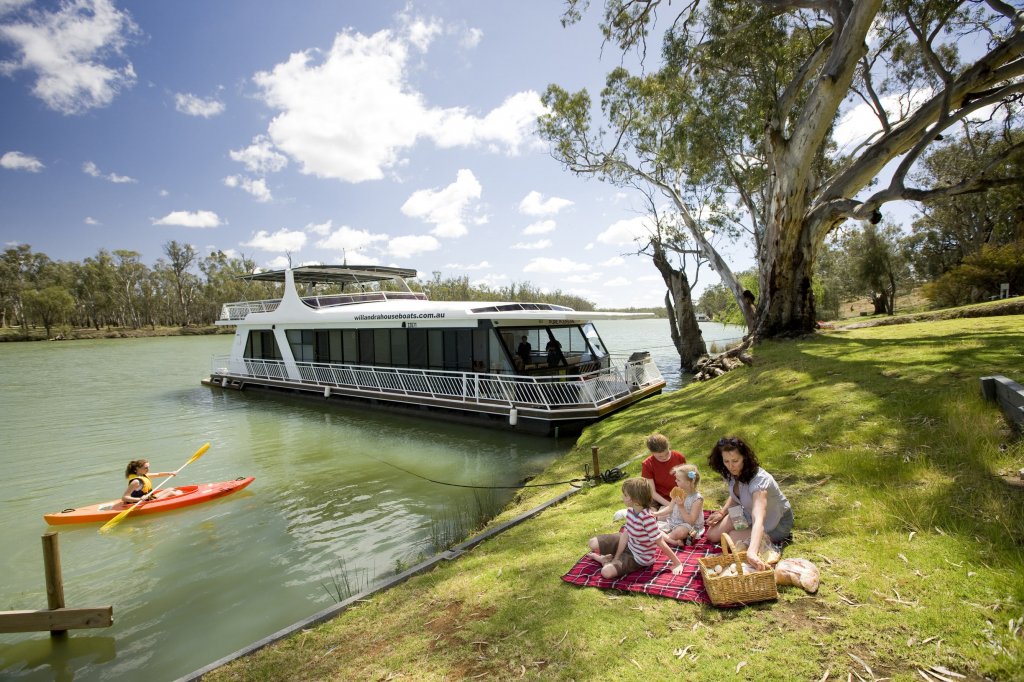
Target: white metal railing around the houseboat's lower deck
x,y
547,394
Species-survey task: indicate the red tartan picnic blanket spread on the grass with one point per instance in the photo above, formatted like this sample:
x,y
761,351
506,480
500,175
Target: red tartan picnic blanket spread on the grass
x,y
657,580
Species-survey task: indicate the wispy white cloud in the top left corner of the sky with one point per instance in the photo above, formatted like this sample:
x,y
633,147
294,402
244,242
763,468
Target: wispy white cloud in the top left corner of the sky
x,y
67,51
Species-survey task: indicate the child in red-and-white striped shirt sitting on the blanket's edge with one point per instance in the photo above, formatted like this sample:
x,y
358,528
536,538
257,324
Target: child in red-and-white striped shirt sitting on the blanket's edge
x,y
623,553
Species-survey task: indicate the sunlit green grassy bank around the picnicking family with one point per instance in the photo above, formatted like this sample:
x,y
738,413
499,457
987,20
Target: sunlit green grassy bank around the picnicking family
x,y
893,463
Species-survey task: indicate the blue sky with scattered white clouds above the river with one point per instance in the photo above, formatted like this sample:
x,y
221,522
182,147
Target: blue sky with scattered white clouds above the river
x,y
382,133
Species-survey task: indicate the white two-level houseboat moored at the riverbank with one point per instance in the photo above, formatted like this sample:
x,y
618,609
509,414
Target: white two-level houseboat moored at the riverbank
x,y
457,360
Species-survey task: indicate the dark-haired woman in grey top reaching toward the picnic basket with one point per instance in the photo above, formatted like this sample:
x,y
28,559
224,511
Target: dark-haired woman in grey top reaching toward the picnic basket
x,y
760,507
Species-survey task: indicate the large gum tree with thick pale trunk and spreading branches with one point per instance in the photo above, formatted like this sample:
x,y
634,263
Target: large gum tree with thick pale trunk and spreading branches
x,y
747,97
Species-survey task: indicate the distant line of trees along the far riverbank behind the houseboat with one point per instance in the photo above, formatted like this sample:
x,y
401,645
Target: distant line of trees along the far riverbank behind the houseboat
x,y
182,289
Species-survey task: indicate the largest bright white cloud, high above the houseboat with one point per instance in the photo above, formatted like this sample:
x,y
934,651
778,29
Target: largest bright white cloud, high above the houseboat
x,y
351,113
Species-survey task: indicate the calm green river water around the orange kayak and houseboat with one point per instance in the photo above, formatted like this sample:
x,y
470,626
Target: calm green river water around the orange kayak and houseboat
x,y
191,586
